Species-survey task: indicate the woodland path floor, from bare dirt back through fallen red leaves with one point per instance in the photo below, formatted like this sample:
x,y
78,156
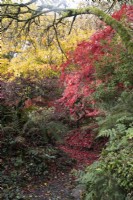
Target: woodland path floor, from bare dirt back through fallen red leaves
x,y
60,184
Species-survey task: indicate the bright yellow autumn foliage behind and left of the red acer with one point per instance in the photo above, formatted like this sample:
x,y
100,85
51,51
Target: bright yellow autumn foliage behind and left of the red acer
x,y
43,55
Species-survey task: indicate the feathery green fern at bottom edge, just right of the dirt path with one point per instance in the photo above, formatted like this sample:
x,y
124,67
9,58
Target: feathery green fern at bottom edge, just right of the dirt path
x,y
100,184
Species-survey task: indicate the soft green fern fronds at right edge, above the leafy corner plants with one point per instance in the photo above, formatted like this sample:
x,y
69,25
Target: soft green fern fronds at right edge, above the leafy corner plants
x,y
121,113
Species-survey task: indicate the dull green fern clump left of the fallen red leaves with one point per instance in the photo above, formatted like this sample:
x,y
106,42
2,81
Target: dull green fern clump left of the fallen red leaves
x,y
42,126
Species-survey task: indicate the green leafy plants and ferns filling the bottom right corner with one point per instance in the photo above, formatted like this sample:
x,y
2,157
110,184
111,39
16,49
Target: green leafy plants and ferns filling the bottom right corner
x,y
112,176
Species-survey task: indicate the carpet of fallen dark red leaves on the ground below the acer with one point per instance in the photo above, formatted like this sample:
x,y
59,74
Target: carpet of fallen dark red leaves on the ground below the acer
x,y
81,146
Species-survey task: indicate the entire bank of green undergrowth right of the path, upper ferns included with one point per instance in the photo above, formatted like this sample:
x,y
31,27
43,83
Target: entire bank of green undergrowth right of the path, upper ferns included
x,y
111,177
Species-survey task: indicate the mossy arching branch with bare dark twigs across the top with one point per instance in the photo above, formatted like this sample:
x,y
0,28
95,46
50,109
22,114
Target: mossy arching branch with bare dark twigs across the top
x,y
16,12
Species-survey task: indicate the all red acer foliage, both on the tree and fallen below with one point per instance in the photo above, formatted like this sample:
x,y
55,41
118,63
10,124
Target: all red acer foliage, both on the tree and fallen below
x,y
81,83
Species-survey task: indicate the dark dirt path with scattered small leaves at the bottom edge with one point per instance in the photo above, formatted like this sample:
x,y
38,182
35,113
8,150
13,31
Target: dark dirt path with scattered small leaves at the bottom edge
x,y
59,186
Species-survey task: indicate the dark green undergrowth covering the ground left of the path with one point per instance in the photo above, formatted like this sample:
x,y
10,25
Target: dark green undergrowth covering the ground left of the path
x,y
27,148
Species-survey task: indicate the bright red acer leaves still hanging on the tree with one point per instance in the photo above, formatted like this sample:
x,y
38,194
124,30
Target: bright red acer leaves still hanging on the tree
x,y
81,83
